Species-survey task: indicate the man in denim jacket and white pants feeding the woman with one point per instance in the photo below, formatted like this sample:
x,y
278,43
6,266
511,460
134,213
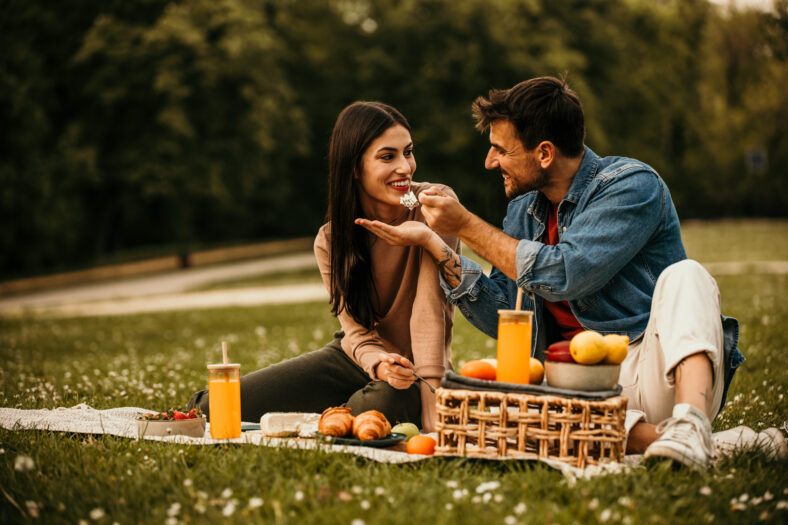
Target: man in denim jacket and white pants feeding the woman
x,y
595,243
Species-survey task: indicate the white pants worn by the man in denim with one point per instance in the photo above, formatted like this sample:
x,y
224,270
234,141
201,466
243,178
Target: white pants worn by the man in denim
x,y
685,320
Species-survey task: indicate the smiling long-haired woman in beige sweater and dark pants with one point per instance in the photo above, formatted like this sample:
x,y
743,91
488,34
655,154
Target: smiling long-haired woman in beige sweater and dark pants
x,y
394,316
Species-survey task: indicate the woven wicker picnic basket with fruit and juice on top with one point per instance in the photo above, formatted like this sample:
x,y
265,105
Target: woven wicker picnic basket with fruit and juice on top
x,y
489,424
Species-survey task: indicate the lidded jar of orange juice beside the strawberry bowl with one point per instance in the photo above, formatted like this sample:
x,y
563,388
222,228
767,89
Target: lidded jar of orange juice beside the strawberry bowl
x,y
224,401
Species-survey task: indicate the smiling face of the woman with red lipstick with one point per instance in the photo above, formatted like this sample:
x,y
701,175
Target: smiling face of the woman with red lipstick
x,y
387,167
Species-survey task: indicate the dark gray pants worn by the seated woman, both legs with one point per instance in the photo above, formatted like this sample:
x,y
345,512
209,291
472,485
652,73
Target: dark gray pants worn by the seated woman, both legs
x,y
315,381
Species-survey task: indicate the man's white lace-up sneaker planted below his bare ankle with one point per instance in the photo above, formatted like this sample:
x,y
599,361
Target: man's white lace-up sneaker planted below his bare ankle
x,y
684,438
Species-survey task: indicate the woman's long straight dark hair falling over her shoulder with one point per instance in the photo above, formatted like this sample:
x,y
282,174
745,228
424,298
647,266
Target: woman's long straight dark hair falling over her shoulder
x,y
352,287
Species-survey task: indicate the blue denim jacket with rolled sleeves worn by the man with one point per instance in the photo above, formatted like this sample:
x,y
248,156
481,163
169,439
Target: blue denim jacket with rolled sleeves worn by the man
x,y
618,229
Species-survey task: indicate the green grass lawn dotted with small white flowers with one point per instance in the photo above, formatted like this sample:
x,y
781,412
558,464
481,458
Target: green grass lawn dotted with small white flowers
x,y
157,361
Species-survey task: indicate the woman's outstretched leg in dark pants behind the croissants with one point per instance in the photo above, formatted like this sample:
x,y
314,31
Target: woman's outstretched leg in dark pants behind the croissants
x,y
308,383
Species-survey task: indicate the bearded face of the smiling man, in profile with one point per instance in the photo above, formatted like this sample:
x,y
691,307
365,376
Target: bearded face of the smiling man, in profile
x,y
520,168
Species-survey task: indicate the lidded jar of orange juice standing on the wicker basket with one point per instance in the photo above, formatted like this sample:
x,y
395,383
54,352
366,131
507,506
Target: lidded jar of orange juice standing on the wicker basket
x,y
514,346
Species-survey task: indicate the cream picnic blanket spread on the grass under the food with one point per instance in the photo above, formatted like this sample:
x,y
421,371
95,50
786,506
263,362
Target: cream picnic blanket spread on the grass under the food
x,y
121,422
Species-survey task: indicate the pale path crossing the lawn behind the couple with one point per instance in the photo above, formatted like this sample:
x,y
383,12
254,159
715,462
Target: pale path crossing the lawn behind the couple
x,y
169,291
